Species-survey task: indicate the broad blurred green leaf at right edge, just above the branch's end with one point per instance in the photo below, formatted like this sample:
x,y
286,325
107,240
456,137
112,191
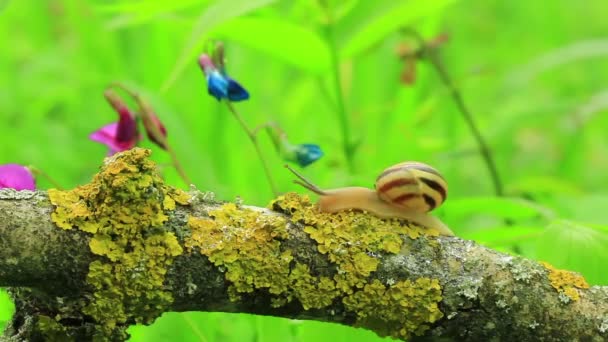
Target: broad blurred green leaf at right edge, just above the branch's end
x,y
576,246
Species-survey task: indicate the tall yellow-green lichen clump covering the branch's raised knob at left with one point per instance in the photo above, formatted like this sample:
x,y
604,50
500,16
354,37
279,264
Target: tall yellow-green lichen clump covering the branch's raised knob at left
x,y
124,209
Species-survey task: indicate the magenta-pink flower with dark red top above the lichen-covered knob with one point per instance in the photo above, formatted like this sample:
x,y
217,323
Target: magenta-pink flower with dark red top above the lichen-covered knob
x,y
118,136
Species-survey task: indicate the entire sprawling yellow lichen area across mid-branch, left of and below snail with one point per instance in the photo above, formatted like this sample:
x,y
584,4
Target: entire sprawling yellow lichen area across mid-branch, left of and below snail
x,y
248,245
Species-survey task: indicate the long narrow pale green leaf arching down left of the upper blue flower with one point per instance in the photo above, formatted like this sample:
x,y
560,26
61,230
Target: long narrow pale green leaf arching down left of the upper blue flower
x,y
214,15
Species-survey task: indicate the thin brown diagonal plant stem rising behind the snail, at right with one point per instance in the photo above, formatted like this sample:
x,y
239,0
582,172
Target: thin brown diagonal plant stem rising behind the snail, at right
x,y
432,54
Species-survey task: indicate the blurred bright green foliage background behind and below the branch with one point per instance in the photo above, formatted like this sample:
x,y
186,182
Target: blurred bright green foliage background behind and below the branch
x,y
534,75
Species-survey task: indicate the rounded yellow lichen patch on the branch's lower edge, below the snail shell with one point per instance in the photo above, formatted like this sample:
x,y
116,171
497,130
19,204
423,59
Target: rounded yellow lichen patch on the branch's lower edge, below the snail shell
x,y
400,310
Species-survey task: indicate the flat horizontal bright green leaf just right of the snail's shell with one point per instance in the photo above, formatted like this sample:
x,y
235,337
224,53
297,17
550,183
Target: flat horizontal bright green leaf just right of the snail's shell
x,y
501,207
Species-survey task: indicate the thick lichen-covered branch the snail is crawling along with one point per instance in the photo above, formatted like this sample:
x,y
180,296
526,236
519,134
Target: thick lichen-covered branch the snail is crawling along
x,y
86,263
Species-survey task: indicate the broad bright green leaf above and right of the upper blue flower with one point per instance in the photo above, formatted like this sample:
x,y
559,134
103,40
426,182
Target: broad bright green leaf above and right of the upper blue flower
x,y
282,40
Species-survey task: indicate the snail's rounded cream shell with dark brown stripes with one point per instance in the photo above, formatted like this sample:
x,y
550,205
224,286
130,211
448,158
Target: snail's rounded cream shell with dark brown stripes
x,y
412,185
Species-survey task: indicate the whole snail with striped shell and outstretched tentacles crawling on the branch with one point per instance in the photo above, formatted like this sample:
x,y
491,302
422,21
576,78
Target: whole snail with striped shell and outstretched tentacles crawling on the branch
x,y
407,190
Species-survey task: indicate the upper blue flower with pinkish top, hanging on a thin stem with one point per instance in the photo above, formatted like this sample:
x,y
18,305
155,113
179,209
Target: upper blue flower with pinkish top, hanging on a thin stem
x,y
219,85
